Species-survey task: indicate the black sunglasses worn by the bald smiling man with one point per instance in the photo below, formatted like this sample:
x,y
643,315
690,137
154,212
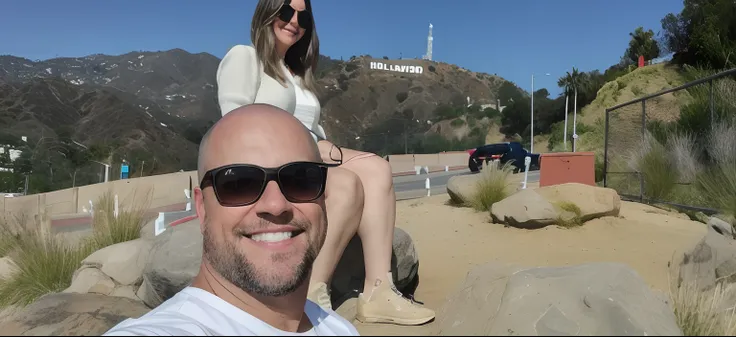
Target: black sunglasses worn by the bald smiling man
x,y
239,185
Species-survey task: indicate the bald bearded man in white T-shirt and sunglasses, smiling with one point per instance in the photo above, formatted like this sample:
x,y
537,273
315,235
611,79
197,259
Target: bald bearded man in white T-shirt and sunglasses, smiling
x,y
262,215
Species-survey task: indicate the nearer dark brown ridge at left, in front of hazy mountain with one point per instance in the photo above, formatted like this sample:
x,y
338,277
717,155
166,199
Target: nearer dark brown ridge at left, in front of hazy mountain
x,y
48,107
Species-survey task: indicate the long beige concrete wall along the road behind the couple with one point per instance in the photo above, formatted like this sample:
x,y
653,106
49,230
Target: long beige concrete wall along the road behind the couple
x,y
168,189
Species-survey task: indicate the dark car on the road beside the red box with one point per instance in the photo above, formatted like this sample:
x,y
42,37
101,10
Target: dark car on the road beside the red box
x,y
512,152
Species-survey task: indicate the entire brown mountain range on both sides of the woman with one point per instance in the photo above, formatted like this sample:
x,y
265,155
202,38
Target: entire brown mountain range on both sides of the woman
x,y
155,106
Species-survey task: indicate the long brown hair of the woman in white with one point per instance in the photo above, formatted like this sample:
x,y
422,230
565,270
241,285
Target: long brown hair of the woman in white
x,y
301,58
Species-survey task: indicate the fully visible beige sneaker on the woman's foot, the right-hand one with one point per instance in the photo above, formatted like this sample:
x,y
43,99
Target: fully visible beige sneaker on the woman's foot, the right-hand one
x,y
386,305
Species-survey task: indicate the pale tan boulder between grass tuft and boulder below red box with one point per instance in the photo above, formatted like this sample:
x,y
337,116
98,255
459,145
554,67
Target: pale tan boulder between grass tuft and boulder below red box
x,y
524,209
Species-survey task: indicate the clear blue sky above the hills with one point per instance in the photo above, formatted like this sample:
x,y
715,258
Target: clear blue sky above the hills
x,y
510,38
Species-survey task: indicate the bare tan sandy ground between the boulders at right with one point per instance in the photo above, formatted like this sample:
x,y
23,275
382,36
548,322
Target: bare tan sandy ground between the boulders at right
x,y
450,241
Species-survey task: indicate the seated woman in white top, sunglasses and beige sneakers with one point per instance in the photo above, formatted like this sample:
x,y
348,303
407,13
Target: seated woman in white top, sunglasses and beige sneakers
x,y
278,69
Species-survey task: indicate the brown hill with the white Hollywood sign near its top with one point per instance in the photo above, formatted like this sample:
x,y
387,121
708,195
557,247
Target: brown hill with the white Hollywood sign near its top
x,y
357,100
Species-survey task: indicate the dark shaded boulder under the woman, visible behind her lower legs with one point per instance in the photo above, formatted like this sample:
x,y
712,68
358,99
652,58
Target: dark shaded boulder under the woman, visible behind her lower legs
x,y
349,276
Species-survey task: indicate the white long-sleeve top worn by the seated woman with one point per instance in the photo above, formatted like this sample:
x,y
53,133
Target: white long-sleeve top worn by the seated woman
x,y
242,81
